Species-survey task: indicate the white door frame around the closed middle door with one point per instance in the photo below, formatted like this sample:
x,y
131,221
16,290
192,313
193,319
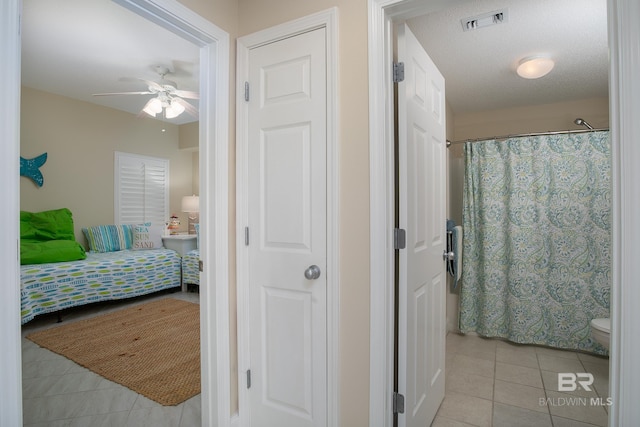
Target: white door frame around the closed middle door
x,y
329,20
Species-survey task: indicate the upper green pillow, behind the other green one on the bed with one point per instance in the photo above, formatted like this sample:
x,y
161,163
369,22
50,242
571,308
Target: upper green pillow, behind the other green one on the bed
x,y
47,225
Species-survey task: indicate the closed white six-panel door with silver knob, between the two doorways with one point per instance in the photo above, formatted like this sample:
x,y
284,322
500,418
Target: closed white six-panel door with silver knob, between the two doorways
x,y
287,232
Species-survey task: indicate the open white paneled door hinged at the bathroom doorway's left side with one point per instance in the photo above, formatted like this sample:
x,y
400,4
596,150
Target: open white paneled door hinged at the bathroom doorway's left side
x,y
422,281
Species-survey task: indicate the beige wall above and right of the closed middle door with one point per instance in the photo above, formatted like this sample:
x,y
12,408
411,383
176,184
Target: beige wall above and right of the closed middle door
x,y
354,185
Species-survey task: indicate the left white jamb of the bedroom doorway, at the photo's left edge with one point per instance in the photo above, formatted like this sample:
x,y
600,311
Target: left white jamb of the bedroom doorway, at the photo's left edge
x,y
10,357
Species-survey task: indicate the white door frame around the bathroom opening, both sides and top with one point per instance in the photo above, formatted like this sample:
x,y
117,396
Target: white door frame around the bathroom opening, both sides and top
x,y
624,105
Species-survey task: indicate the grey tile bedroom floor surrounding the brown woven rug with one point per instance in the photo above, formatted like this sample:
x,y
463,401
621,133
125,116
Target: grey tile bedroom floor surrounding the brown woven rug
x,y
57,392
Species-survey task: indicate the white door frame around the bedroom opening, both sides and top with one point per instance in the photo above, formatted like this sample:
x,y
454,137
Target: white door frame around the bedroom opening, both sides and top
x,y
213,146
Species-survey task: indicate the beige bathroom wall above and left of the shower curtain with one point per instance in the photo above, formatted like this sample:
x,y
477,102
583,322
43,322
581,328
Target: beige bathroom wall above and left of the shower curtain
x,y
485,124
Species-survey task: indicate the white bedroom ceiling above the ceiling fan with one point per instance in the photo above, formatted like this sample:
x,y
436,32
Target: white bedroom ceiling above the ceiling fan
x,y
77,48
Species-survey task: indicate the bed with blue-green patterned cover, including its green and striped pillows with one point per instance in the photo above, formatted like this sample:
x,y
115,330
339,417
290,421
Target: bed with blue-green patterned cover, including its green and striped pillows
x,y
124,261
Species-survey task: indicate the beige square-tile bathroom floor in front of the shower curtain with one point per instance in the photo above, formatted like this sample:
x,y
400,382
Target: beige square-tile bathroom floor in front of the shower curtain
x,y
497,383
